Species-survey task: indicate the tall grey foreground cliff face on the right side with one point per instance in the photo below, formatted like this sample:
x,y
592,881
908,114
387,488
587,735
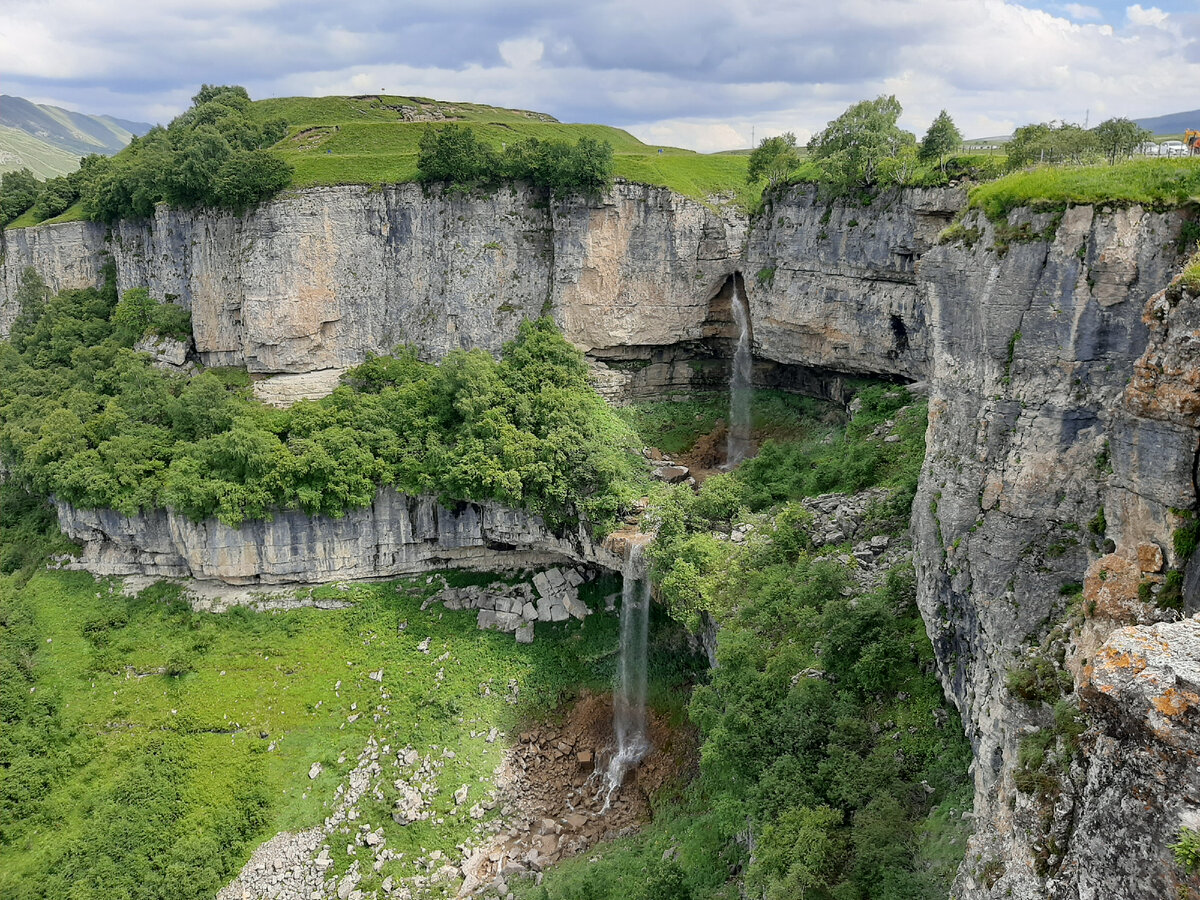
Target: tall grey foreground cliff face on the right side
x,y
1033,434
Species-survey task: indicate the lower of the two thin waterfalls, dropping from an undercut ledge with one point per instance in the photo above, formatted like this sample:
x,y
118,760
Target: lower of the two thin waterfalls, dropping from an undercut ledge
x,y
629,706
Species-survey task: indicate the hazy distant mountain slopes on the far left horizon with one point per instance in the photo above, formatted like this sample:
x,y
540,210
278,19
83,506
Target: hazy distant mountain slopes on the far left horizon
x,y
50,141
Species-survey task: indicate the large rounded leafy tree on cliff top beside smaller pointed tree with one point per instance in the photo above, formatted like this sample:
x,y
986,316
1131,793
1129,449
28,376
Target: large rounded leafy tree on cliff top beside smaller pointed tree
x,y
854,151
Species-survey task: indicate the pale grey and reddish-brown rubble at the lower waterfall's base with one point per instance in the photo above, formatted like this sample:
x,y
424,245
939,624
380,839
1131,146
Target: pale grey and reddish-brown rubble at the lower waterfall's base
x,y
548,802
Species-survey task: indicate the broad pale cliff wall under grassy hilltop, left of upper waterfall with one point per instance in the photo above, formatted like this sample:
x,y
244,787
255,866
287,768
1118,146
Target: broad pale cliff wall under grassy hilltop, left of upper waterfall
x,y
320,279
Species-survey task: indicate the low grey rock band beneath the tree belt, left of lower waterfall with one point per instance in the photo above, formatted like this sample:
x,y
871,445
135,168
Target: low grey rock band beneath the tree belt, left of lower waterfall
x,y
397,536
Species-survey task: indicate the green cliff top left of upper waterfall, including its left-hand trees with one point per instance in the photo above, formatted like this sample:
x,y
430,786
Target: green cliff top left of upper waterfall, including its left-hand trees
x,y
233,153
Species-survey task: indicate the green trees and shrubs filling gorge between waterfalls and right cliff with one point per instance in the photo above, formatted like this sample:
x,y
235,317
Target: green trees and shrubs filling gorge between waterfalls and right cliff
x,y
826,742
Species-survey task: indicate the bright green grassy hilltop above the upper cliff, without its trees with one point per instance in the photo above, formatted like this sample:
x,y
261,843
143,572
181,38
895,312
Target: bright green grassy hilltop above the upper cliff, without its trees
x,y
375,140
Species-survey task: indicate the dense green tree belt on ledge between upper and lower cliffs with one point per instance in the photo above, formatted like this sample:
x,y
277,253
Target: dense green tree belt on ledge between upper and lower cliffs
x,y
86,418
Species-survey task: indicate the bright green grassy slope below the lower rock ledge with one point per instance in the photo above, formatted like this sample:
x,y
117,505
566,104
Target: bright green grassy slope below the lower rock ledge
x,y
151,740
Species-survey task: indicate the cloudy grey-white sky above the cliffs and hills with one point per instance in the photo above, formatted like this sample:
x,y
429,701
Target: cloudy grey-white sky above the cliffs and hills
x,y
693,74
